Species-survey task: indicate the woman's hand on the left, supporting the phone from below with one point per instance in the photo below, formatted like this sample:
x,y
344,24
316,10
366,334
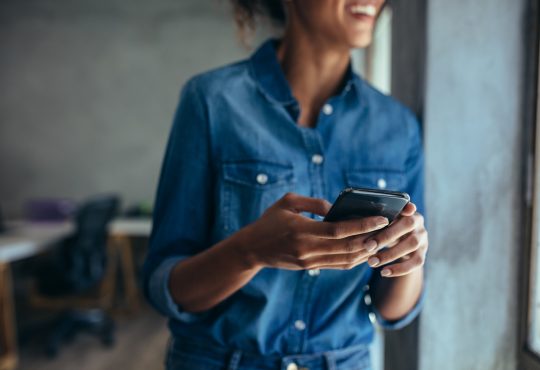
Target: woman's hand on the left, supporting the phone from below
x,y
284,238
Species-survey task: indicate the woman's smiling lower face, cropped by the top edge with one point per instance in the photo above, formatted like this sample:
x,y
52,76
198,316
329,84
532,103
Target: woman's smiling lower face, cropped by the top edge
x,y
347,23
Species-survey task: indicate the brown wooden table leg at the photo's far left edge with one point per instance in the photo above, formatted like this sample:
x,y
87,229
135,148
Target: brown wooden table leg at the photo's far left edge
x,y
8,337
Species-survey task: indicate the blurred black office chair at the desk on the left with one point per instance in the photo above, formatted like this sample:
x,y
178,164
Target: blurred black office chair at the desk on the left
x,y
80,268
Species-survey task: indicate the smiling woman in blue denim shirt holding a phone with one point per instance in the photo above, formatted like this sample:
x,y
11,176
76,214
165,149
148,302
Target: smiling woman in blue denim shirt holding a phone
x,y
239,260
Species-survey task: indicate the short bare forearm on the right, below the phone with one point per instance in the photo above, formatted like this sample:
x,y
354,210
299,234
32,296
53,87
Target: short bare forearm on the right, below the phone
x,y
395,297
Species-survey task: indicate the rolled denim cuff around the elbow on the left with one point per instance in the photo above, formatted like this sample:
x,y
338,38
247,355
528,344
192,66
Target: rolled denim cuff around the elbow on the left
x,y
160,294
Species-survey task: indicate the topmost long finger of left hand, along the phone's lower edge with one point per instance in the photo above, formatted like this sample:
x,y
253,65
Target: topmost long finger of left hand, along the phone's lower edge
x,y
344,229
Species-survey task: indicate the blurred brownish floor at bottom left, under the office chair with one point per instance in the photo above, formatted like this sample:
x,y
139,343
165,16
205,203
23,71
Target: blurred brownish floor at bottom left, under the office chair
x,y
141,341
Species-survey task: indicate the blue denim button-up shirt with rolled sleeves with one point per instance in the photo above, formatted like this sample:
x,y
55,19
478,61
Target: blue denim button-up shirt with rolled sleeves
x,y
235,148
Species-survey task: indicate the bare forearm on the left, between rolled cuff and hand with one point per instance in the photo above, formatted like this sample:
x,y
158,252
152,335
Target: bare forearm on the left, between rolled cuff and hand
x,y
206,279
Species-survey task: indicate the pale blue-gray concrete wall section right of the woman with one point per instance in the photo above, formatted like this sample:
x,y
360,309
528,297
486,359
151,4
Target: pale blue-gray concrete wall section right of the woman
x,y
472,128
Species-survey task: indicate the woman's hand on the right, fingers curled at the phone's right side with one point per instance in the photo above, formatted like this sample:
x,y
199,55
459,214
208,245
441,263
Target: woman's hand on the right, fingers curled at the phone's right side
x,y
406,240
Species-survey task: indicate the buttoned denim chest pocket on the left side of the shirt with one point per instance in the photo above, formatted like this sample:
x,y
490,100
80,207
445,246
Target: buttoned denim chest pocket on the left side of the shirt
x,y
249,188
